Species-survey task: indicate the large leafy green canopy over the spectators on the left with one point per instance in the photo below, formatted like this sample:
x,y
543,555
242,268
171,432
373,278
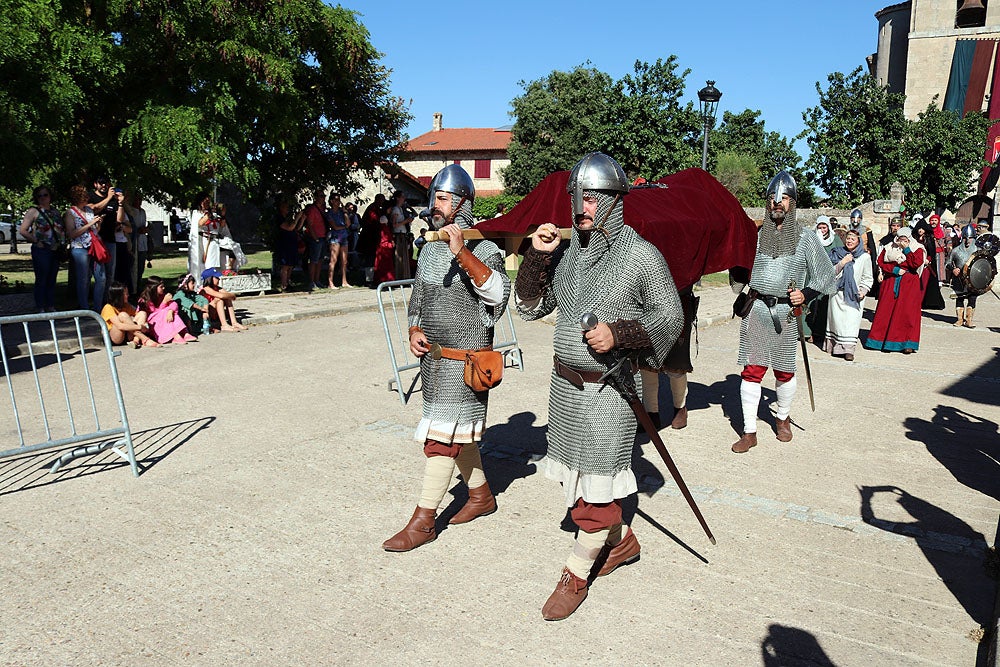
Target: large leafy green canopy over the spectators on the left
x,y
170,96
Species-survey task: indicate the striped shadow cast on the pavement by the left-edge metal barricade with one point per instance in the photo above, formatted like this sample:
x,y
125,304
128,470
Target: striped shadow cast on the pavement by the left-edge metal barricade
x,y
151,446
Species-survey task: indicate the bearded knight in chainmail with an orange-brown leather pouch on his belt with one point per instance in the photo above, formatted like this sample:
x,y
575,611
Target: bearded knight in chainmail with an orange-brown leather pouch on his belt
x,y
460,291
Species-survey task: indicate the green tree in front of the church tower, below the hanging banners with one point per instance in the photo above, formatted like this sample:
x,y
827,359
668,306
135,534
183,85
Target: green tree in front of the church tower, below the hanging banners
x,y
943,156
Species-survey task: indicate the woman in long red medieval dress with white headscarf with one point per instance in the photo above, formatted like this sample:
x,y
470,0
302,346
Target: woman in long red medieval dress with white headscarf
x,y
896,327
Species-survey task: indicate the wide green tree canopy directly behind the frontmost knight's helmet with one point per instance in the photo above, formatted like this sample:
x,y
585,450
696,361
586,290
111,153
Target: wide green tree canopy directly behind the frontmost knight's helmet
x,y
638,120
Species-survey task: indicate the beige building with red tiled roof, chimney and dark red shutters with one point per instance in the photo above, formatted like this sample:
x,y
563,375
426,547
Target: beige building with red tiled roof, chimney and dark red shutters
x,y
481,151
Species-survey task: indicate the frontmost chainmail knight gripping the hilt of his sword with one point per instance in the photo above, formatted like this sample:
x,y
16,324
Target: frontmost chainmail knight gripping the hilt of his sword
x,y
609,271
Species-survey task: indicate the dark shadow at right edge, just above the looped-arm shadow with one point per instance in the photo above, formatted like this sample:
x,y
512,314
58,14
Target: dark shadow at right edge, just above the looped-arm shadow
x,y
967,445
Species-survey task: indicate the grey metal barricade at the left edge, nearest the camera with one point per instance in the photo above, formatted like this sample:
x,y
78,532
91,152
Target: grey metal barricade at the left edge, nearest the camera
x,y
60,427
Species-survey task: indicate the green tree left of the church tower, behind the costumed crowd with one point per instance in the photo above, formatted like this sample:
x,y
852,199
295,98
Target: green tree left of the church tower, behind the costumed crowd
x,y
855,136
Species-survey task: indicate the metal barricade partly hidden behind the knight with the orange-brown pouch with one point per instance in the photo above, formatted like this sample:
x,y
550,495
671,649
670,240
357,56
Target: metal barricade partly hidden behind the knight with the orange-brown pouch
x,y
392,296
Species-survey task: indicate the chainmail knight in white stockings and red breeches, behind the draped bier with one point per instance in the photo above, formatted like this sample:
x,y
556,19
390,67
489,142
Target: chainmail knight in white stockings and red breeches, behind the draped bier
x,y
790,268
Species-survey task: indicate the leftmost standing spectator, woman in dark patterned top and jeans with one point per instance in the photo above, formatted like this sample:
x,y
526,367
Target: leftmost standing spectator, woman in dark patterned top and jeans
x,y
43,229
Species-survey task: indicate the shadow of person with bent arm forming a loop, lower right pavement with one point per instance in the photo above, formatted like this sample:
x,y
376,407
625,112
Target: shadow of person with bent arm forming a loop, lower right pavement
x,y
949,544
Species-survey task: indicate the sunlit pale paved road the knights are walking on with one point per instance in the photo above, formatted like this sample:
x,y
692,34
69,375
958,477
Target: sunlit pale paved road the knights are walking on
x,y
276,462
